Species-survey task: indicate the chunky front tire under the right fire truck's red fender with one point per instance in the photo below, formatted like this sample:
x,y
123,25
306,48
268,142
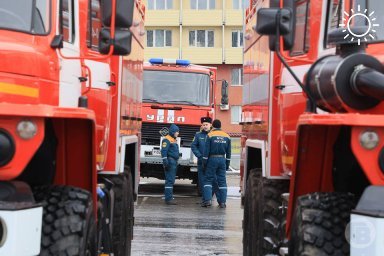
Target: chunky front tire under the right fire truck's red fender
x,y
319,224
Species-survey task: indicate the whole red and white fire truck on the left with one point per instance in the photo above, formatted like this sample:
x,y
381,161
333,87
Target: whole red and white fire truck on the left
x,y
70,101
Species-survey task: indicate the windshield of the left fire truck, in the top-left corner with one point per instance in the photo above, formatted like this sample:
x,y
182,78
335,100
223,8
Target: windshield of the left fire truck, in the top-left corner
x,y
25,16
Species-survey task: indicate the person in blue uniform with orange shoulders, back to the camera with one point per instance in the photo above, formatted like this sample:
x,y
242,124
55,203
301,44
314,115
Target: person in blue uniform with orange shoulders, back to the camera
x,y
216,160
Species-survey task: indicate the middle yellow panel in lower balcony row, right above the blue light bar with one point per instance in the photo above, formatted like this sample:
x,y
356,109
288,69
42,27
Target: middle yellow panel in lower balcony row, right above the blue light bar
x,y
201,55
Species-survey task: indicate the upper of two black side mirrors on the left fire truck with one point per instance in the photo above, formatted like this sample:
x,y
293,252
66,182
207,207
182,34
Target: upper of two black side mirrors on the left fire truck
x,y
124,13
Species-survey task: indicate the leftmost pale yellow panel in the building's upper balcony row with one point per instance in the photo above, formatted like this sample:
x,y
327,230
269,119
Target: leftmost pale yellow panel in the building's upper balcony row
x,y
162,18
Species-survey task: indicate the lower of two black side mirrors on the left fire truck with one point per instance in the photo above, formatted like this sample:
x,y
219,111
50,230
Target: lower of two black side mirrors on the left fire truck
x,y
122,42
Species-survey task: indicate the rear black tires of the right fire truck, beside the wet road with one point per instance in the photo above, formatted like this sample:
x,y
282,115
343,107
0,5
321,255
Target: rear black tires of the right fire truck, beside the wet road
x,y
263,216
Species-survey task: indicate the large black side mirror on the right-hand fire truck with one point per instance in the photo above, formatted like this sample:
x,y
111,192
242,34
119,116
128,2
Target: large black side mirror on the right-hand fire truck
x,y
276,21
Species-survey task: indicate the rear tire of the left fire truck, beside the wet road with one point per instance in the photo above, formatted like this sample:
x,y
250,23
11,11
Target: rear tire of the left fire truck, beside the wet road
x,y
122,234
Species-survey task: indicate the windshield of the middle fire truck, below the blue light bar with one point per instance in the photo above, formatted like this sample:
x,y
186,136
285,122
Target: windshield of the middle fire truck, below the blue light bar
x,y
176,88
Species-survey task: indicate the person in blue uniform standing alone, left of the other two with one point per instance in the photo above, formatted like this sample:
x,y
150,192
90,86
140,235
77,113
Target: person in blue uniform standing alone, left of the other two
x,y
170,156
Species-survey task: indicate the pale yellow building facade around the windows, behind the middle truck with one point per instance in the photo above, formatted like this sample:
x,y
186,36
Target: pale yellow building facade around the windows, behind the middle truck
x,y
197,20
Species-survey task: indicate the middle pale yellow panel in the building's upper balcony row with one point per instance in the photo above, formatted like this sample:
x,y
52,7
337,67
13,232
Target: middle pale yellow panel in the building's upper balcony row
x,y
202,18
